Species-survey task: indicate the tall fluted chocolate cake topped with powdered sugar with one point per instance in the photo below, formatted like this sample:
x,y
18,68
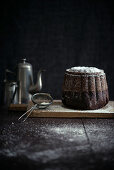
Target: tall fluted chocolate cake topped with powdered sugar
x,y
85,88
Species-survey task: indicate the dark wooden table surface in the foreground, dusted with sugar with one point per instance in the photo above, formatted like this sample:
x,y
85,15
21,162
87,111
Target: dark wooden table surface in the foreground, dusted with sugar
x,y
56,143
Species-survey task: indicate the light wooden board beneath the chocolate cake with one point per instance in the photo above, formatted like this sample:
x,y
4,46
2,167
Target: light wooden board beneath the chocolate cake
x,y
58,110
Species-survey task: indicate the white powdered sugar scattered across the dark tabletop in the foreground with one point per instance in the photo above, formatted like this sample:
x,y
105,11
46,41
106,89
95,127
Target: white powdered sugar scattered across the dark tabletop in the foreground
x,y
43,140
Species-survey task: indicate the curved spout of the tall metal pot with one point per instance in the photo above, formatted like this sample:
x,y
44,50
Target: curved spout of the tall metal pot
x,y
38,86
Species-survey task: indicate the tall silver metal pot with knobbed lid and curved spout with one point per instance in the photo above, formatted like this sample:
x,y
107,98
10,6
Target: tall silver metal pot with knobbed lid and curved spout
x,y
25,81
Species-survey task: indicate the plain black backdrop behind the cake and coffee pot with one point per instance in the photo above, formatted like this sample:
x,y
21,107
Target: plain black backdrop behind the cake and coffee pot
x,y
56,35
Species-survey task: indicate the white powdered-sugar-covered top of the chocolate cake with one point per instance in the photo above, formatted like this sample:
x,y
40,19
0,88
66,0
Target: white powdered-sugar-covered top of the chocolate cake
x,y
85,70
